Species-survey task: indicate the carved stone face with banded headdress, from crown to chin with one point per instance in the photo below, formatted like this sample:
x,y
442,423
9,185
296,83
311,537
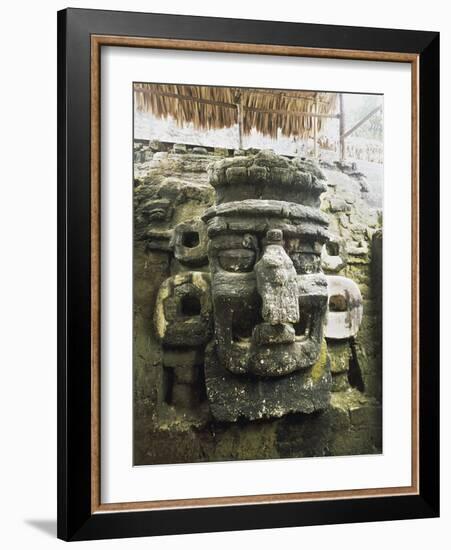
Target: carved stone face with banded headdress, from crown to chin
x,y
269,296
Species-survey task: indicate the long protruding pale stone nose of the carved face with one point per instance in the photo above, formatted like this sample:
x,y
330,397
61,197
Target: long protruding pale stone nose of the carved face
x,y
276,282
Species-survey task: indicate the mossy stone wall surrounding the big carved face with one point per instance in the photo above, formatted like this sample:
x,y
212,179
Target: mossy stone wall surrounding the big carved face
x,y
172,418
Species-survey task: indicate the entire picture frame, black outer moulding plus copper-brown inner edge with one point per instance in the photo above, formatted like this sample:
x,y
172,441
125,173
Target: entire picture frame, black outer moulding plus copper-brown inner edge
x,y
81,36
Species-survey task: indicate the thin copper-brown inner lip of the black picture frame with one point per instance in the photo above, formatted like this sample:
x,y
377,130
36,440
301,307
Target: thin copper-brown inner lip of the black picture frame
x,y
97,41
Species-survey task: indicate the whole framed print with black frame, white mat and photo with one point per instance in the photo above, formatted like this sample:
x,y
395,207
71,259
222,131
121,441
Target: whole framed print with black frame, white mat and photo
x,y
248,274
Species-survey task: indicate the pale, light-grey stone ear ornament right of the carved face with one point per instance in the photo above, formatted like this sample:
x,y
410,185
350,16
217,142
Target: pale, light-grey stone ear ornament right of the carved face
x,y
345,308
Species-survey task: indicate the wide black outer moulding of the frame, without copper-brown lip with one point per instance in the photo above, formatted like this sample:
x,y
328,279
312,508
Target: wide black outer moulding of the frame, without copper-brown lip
x,y
76,519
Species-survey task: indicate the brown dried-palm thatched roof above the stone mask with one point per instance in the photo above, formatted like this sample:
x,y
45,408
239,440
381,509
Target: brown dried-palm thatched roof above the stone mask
x,y
210,107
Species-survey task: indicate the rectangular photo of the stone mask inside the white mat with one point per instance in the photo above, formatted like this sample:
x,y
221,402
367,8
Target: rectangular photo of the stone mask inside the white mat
x,y
257,273
